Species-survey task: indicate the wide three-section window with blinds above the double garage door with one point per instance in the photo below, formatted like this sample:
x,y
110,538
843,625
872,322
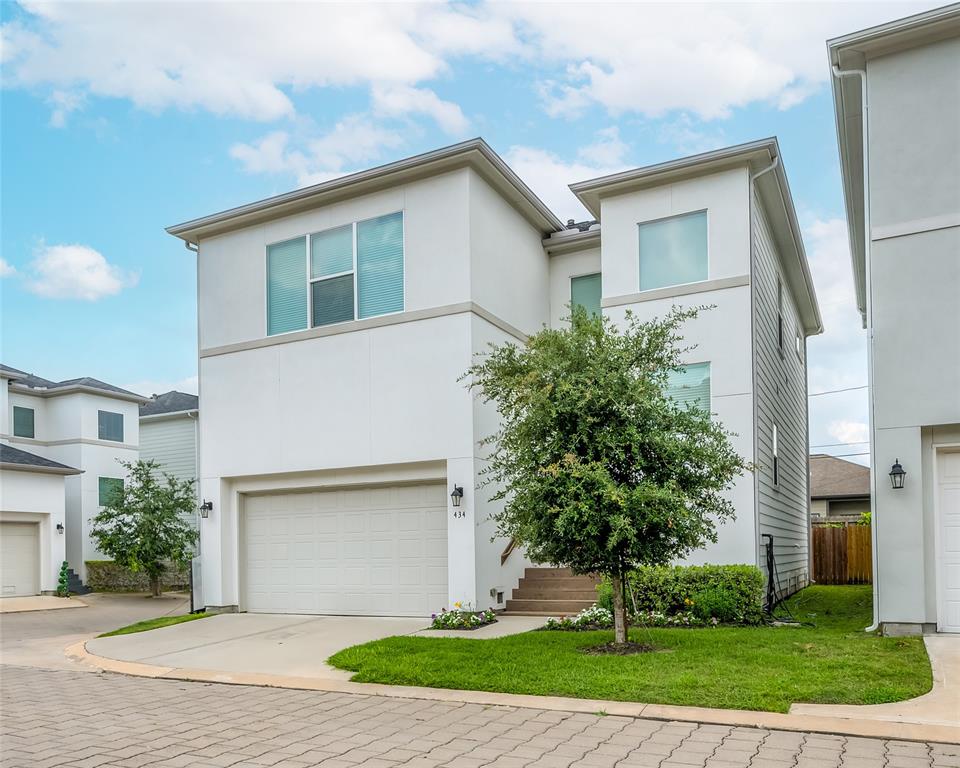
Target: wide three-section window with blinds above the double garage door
x,y
346,273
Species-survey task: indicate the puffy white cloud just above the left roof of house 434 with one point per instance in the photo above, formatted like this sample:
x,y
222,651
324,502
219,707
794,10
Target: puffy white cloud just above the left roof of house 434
x,y
352,142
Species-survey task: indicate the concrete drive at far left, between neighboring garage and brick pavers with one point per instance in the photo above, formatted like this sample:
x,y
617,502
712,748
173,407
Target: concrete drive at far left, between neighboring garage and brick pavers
x,y
37,638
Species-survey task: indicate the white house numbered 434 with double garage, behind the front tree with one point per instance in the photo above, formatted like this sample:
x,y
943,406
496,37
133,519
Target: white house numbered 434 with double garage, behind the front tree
x,y
335,323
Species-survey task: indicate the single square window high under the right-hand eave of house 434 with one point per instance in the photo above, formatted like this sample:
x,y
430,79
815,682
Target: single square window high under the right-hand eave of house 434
x,y
673,251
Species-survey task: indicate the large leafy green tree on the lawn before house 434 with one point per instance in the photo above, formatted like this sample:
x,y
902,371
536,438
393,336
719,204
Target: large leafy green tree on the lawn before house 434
x,y
600,470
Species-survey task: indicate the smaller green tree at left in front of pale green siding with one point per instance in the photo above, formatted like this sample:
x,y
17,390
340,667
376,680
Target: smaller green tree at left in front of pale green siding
x,y
143,527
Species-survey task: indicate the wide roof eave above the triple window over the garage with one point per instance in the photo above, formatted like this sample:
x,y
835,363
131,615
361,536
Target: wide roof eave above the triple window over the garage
x,y
474,153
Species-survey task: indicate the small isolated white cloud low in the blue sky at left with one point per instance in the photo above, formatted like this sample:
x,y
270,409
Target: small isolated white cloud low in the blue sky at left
x,y
75,272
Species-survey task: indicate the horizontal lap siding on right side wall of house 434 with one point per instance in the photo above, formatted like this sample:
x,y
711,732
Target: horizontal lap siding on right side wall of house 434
x,y
781,395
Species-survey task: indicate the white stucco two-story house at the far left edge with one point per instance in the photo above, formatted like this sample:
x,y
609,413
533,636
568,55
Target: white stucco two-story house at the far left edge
x,y
84,425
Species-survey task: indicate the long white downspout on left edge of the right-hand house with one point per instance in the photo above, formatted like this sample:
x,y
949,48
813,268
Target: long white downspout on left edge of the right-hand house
x,y
868,295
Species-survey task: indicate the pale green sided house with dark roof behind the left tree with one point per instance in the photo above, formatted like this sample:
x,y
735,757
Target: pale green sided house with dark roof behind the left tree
x,y
169,432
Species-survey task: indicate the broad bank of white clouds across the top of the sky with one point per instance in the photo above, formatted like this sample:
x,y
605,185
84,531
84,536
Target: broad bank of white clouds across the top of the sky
x,y
250,60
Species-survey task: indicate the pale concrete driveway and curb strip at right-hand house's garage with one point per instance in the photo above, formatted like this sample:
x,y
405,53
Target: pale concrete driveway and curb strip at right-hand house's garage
x,y
939,707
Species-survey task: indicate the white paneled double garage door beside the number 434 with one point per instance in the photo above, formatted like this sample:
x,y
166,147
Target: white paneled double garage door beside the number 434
x,y
370,551
